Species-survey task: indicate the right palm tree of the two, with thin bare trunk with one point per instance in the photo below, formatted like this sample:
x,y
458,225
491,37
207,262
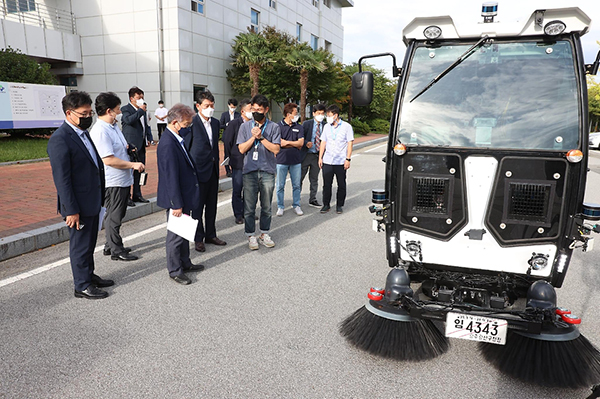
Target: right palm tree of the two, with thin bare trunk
x,y
304,59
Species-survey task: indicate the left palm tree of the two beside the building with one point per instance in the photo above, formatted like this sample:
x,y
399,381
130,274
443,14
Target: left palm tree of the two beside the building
x,y
252,52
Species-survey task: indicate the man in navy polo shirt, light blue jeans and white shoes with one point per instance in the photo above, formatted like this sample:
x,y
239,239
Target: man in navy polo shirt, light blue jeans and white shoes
x,y
289,158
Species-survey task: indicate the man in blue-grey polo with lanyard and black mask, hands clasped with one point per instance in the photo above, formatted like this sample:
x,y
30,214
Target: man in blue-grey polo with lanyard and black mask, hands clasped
x,y
259,140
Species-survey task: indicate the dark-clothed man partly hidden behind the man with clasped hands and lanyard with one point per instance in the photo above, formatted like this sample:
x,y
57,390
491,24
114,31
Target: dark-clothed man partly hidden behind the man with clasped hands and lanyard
x,y
236,159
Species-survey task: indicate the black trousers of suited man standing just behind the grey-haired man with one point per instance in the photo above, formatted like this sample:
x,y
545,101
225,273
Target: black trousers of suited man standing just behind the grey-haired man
x,y
208,207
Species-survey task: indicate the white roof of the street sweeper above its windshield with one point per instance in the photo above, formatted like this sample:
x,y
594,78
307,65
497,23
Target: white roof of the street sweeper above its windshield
x,y
575,20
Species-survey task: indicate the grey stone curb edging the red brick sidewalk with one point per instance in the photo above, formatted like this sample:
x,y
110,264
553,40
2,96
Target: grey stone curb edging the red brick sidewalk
x,y
19,244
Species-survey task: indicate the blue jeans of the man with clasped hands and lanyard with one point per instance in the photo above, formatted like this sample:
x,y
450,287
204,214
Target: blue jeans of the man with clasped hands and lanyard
x,y
256,183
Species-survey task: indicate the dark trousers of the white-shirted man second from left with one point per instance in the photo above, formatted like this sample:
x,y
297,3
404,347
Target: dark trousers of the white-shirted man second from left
x,y
115,199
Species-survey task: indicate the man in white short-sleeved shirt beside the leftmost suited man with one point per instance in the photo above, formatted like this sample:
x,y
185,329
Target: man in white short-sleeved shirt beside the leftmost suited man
x,y
112,148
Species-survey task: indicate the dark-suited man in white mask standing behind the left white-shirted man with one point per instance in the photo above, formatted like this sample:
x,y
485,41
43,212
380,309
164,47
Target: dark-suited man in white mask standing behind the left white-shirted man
x,y
134,122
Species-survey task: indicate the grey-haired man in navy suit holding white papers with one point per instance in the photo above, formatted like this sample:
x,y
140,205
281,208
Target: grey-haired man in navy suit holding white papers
x,y
178,190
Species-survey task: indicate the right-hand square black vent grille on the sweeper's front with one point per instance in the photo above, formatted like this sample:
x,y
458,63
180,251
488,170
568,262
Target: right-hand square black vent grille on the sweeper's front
x,y
529,202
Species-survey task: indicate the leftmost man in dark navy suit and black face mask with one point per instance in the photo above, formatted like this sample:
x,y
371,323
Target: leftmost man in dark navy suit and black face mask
x,y
78,174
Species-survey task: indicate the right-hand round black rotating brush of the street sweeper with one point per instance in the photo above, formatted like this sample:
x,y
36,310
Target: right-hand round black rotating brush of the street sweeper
x,y
557,357
